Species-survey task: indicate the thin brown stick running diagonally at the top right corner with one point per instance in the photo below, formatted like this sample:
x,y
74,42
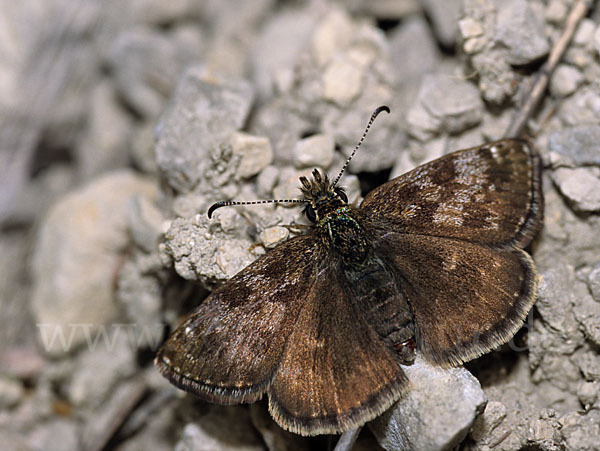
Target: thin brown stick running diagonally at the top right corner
x,y
540,84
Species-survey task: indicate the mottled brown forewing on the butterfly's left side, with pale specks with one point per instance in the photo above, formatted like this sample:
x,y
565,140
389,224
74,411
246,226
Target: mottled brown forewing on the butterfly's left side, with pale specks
x,y
227,350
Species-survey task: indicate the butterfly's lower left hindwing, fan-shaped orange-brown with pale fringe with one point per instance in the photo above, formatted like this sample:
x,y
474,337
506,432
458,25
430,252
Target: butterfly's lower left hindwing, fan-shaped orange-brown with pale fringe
x,y
335,373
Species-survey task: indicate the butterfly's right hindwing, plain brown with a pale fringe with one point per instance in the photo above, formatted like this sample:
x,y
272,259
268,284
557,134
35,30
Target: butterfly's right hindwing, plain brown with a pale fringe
x,y
466,298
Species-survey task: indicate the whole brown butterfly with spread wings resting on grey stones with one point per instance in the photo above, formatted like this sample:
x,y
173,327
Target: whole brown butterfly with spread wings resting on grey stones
x,y
431,262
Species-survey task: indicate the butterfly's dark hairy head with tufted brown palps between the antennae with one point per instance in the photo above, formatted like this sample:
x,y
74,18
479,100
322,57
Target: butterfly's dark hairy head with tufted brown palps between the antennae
x,y
321,196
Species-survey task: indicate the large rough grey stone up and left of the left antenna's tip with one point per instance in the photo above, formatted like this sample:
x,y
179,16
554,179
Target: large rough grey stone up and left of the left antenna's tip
x,y
202,115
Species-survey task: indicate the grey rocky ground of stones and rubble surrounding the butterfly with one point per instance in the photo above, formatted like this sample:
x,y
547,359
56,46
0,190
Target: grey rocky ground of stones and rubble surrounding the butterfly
x,y
122,121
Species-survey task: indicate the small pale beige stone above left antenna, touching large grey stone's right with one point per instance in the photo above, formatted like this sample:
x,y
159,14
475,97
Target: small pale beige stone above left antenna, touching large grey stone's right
x,y
254,153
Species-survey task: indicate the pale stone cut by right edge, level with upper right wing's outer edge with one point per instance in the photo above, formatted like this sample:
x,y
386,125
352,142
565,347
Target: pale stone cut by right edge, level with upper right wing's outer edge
x,y
580,185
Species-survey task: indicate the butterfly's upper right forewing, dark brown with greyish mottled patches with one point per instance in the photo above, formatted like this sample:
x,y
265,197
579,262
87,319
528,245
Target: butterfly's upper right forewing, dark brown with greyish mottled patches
x,y
489,194
